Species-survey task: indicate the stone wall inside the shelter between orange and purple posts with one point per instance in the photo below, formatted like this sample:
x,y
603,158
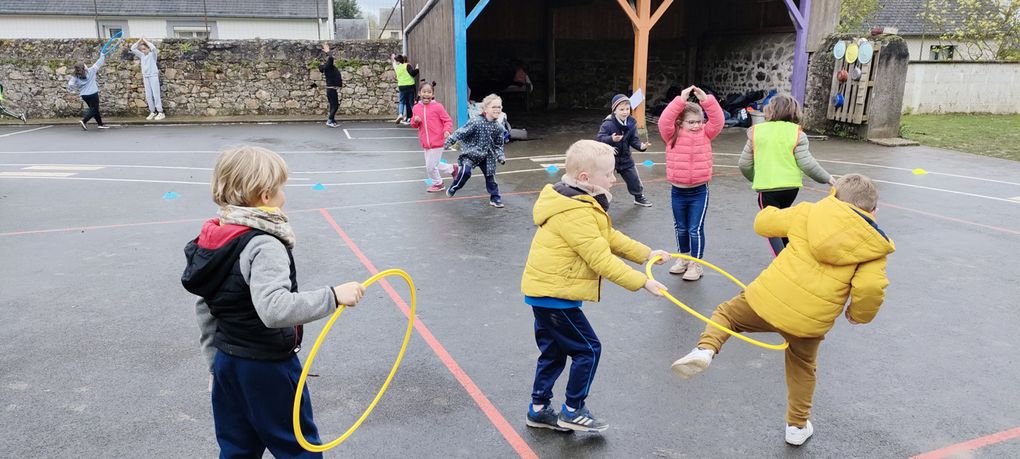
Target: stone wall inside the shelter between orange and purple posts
x,y
738,64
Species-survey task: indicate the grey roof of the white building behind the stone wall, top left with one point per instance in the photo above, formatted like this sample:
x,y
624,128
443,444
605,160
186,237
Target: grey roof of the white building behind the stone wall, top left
x,y
217,9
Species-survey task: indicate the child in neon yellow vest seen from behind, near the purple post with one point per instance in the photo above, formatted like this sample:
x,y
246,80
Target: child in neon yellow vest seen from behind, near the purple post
x,y
776,157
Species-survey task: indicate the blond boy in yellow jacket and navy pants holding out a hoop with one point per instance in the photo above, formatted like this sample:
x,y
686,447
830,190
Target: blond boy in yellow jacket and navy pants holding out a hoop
x,y
575,247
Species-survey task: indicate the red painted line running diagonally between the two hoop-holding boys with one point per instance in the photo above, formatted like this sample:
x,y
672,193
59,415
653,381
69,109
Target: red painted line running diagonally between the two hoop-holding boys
x,y
512,436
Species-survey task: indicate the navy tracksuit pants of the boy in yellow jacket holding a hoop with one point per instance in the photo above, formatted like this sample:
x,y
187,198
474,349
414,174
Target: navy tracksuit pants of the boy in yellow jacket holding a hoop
x,y
562,334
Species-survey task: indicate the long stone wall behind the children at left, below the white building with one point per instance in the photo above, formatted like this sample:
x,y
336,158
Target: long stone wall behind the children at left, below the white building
x,y
202,78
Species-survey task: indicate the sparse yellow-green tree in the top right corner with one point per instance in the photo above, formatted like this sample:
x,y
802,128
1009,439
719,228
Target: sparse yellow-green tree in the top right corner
x,y
980,29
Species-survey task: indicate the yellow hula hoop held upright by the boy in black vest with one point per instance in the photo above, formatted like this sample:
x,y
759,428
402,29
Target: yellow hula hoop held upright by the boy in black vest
x,y
312,356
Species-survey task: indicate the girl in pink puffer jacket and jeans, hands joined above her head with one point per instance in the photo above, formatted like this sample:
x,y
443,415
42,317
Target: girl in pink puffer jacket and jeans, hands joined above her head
x,y
689,169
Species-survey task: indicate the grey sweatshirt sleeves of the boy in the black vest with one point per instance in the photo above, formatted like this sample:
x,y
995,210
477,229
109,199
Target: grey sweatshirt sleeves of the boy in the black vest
x,y
266,267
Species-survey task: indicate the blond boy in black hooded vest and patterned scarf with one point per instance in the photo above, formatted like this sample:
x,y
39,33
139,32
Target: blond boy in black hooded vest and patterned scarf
x,y
249,310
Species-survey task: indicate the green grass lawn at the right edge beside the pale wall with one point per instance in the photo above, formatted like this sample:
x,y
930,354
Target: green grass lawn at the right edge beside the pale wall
x,y
997,136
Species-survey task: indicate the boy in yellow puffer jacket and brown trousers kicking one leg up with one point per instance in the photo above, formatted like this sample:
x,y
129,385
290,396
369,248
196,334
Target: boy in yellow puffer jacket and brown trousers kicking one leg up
x,y
837,251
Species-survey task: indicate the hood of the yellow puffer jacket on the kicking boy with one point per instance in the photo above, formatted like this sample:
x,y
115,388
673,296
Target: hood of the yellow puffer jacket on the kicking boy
x,y
841,234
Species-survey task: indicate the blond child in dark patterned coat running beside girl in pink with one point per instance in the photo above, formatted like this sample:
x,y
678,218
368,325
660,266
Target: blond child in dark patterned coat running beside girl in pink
x,y
482,146
